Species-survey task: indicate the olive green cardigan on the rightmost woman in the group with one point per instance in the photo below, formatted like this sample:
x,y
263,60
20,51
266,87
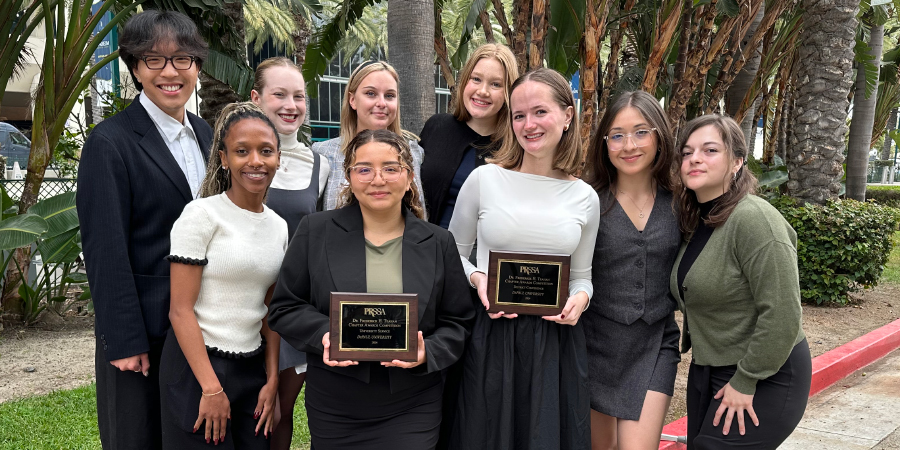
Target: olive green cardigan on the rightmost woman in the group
x,y
741,297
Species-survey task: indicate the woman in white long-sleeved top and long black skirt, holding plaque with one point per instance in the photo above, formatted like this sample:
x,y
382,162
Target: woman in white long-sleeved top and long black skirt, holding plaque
x,y
525,381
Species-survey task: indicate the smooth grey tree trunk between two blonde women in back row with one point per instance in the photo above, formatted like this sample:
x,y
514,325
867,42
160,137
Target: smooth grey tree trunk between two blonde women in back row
x,y
410,23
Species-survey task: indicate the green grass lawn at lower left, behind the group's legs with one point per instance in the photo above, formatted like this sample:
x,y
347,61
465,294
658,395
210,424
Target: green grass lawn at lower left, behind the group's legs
x,y
67,420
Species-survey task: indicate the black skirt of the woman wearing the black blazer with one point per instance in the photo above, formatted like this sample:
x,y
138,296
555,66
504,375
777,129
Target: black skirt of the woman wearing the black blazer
x,y
345,413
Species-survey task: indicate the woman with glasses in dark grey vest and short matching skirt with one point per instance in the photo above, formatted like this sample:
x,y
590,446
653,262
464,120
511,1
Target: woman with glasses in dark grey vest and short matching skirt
x,y
632,337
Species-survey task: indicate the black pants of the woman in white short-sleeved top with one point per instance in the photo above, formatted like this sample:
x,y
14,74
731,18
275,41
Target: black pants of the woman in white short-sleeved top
x,y
241,379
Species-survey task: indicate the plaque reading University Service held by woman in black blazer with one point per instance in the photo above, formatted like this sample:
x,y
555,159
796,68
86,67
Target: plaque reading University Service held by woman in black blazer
x,y
374,327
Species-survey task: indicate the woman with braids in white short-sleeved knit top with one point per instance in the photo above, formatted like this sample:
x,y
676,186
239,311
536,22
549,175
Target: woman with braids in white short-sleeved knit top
x,y
219,367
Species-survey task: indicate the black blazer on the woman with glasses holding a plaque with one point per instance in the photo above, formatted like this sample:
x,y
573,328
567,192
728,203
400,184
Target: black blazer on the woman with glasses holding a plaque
x,y
327,254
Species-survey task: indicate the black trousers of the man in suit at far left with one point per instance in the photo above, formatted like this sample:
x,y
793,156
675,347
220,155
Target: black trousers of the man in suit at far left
x,y
128,411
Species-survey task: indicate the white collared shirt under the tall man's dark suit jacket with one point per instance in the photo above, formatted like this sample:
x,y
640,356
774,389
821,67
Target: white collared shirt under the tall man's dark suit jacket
x,y
182,142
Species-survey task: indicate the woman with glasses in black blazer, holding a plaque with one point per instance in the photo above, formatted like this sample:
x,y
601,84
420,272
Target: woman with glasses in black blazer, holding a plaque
x,y
376,243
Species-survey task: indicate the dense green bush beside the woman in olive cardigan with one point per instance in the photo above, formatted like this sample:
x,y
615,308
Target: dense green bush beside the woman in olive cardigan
x,y
842,247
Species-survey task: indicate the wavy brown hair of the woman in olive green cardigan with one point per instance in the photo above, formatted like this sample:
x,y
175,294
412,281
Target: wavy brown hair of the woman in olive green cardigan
x,y
743,183
